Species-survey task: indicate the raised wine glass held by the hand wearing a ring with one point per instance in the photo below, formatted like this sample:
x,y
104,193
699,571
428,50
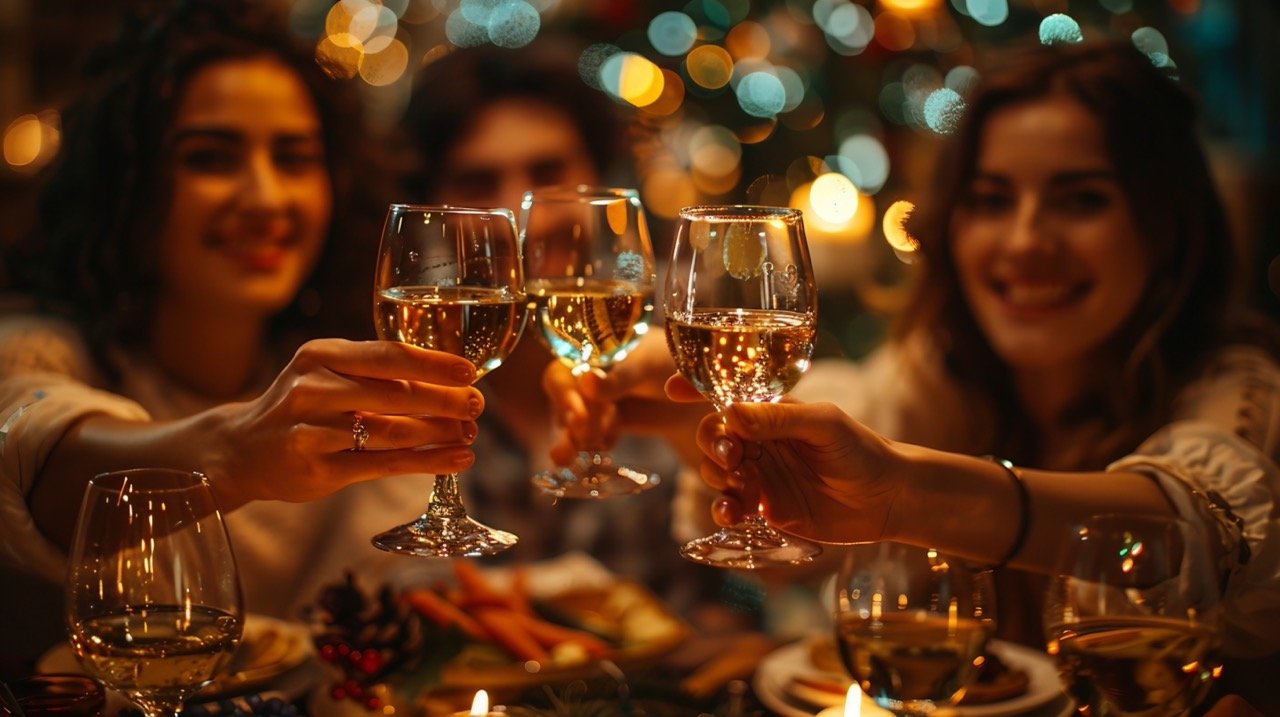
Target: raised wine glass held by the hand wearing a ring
x,y
450,280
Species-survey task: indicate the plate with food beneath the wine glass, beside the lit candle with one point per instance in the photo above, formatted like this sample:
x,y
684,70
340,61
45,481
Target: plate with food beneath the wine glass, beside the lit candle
x,y
803,678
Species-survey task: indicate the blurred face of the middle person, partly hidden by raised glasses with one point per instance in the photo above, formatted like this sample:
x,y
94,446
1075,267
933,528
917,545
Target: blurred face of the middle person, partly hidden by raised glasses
x,y
515,145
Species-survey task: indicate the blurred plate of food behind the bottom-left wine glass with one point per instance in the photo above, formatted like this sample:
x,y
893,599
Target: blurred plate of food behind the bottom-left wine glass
x,y
273,655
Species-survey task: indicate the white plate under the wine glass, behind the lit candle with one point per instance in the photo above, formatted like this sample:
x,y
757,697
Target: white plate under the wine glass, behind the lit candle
x,y
774,687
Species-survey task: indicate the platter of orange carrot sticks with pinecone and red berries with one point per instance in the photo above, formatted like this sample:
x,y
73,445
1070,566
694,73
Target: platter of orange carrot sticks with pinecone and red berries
x,y
501,632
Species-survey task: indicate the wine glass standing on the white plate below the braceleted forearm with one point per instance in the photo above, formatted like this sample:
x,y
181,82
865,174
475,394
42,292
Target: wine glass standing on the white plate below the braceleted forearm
x,y
912,624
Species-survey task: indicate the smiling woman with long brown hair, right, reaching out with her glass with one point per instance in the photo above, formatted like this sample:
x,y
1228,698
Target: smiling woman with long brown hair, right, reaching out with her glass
x,y
1076,313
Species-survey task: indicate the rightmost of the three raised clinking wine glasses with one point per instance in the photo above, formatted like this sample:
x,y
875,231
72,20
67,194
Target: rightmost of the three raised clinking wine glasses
x,y
742,314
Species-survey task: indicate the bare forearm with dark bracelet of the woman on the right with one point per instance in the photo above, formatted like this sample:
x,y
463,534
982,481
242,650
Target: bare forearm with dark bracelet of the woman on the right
x,y
971,506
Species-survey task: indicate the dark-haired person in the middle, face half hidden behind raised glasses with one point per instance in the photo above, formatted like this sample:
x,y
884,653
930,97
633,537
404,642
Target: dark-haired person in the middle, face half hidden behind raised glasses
x,y
484,126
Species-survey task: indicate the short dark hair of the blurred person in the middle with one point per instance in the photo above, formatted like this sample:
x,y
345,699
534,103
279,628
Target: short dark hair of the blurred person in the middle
x,y
451,92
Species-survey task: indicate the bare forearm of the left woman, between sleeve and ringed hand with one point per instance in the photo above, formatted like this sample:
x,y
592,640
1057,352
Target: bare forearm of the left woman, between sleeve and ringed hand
x,y
102,444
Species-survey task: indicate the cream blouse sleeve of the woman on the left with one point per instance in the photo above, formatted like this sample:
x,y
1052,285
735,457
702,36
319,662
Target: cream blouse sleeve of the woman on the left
x,y
43,395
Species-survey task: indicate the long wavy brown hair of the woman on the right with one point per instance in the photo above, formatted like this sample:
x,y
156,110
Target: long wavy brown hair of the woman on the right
x,y
1190,305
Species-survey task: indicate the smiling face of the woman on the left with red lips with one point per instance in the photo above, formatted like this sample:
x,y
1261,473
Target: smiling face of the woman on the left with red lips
x,y
252,194
